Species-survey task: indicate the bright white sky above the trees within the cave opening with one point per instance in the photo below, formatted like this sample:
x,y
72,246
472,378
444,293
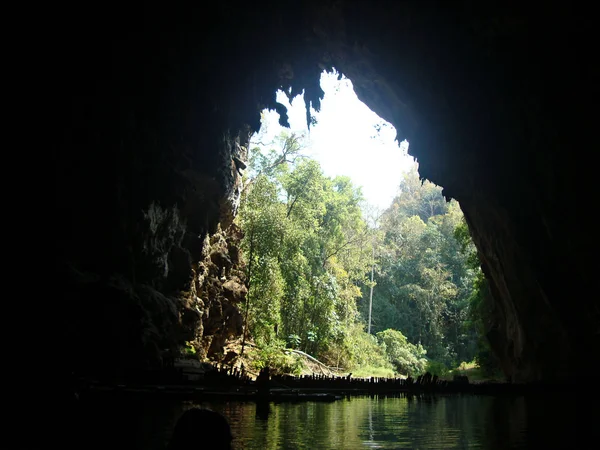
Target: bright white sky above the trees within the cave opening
x,y
348,139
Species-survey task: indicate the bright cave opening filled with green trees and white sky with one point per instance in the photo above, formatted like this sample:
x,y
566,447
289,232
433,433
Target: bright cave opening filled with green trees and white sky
x,y
346,244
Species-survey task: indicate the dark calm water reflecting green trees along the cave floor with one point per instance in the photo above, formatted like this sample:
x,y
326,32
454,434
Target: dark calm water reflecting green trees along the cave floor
x,y
441,422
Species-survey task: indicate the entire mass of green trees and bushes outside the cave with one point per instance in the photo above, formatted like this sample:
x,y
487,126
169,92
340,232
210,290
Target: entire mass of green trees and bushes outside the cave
x,y
308,250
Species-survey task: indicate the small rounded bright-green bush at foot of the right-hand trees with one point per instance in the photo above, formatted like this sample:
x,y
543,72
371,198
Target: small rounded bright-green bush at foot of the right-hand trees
x,y
407,358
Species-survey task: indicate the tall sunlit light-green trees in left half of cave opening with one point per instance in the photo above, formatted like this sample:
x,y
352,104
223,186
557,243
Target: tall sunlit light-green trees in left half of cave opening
x,y
304,247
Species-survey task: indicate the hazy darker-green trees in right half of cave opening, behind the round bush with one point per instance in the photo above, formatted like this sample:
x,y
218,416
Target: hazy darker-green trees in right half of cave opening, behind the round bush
x,y
424,280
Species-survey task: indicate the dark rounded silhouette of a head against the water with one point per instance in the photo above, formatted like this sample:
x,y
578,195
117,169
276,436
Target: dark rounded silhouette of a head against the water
x,y
201,429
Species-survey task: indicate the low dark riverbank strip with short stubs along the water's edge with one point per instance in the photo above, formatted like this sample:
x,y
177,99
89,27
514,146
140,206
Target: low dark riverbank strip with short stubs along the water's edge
x,y
228,387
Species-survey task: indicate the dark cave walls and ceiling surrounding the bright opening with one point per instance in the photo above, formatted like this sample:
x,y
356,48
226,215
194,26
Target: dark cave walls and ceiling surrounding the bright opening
x,y
156,108
